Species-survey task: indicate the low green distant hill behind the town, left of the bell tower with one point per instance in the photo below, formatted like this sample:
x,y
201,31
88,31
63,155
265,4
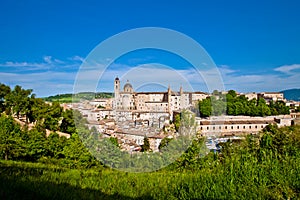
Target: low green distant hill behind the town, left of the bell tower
x,y
68,98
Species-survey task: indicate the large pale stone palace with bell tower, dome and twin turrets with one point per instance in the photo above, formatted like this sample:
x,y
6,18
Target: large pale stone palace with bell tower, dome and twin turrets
x,y
153,102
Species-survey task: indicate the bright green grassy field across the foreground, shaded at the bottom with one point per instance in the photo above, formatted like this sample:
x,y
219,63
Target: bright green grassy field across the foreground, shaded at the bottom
x,y
273,180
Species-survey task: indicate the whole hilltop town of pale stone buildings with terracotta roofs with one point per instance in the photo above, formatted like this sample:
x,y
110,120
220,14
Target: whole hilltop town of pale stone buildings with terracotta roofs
x,y
132,116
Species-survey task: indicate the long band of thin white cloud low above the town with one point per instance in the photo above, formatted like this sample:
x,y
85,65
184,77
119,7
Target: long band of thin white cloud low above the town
x,y
55,76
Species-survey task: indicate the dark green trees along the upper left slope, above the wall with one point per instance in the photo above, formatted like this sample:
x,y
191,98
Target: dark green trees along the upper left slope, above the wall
x,y
21,103
